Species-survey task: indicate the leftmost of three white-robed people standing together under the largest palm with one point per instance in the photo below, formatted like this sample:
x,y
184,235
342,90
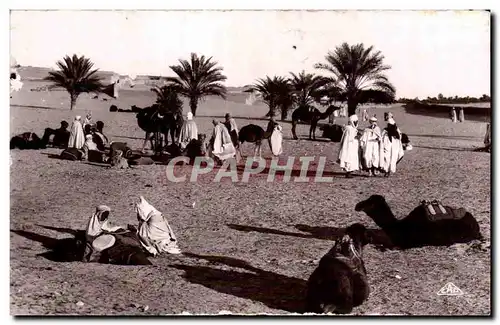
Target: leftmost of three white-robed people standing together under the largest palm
x,y
349,147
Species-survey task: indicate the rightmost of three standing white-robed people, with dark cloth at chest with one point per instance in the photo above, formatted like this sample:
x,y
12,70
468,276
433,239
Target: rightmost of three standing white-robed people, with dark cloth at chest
x,y
391,149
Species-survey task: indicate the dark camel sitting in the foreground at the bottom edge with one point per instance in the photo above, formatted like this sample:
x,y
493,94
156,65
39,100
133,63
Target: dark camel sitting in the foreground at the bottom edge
x,y
339,283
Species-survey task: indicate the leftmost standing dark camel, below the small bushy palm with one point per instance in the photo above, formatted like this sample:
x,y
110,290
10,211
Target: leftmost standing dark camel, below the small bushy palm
x,y
153,122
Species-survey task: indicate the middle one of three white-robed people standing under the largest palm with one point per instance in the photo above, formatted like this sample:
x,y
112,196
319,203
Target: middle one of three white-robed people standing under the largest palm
x,y
370,144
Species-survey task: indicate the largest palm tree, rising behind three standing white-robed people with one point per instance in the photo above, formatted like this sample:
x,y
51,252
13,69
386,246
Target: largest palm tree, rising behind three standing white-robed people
x,y
360,75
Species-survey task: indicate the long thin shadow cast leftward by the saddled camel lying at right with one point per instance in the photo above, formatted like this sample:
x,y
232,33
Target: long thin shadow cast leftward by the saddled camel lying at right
x,y
376,237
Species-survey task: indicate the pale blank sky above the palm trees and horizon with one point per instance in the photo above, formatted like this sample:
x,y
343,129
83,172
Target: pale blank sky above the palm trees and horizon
x,y
434,52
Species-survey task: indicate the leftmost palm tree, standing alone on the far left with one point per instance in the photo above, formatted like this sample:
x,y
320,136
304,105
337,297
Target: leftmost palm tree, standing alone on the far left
x,y
76,76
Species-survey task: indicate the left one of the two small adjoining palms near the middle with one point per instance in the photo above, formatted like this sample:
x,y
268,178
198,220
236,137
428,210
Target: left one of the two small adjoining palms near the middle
x,y
276,92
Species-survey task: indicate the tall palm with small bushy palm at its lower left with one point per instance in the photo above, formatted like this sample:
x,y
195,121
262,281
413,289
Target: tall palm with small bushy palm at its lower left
x,y
198,78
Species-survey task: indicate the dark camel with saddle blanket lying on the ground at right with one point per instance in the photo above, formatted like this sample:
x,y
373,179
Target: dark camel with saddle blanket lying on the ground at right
x,y
419,228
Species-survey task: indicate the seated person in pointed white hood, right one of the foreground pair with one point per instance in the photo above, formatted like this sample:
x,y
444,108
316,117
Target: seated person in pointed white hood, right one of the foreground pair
x,y
154,232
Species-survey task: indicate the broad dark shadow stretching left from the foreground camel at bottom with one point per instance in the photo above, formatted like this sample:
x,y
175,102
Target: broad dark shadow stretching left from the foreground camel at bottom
x,y
274,290
